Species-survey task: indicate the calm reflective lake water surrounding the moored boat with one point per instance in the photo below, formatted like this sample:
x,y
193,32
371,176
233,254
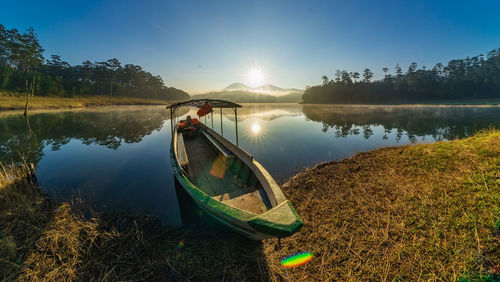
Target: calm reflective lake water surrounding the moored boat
x,y
118,157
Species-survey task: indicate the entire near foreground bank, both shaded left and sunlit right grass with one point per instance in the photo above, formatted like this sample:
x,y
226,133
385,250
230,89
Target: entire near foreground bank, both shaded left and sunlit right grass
x,y
429,211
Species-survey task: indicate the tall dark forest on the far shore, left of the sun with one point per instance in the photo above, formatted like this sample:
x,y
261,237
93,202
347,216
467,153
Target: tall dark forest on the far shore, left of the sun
x,y
24,69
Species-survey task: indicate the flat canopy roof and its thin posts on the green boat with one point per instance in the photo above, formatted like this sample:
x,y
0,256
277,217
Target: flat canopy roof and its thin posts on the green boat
x,y
215,103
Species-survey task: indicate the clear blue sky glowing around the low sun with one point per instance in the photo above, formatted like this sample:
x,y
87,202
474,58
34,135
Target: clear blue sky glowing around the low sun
x,y
199,46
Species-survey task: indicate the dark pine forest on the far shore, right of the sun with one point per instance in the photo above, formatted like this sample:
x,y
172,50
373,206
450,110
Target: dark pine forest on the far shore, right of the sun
x,y
462,79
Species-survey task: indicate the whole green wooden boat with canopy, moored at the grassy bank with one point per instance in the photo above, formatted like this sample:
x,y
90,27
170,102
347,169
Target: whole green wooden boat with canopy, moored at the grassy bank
x,y
227,182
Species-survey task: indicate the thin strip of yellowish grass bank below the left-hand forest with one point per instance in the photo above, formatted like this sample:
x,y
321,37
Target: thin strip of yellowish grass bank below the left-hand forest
x,y
17,102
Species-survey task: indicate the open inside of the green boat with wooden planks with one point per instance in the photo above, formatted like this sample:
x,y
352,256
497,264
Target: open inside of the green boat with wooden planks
x,y
219,173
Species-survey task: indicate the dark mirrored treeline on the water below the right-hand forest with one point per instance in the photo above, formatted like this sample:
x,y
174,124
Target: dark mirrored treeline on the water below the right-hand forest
x,y
442,123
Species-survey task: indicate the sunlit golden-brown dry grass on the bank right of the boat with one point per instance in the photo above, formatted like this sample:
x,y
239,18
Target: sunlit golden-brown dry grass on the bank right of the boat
x,y
424,212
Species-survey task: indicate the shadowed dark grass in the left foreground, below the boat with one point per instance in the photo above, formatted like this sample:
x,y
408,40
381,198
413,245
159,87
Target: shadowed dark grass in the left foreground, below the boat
x,y
43,240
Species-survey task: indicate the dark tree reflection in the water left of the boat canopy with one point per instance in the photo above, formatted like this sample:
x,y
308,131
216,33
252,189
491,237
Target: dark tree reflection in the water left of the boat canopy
x,y
24,140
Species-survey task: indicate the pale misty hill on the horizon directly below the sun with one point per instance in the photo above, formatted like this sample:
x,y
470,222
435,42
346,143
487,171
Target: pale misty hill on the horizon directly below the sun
x,y
240,93
